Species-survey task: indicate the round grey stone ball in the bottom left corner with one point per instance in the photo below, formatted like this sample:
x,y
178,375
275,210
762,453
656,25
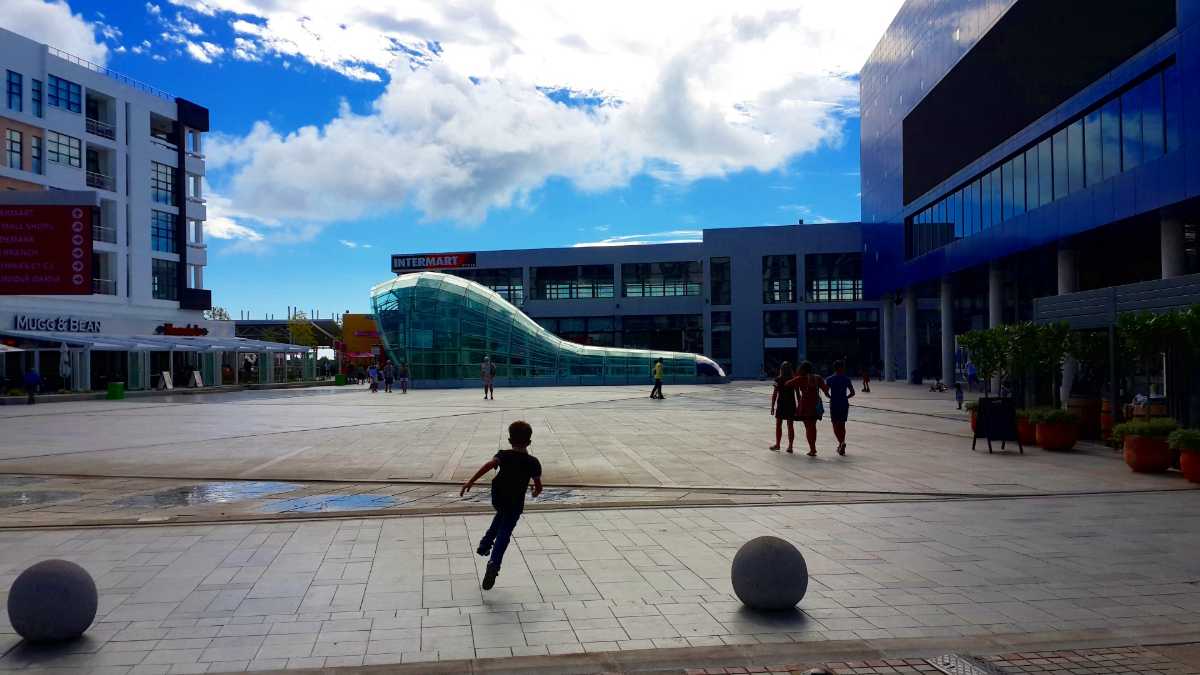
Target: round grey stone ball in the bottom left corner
x,y
52,601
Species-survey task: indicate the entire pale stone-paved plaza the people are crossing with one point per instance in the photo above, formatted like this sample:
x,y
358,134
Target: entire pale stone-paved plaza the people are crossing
x,y
916,545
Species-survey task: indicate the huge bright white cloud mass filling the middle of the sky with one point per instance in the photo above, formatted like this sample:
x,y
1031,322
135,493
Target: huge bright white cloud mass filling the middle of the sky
x,y
472,117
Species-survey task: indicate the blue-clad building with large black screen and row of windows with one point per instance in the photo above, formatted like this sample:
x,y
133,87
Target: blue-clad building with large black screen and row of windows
x,y
1018,150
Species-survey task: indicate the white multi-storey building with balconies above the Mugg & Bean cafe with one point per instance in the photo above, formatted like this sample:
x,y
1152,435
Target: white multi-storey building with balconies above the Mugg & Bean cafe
x,y
71,126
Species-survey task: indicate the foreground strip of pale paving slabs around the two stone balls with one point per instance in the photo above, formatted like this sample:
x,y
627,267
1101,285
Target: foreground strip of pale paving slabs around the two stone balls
x,y
403,590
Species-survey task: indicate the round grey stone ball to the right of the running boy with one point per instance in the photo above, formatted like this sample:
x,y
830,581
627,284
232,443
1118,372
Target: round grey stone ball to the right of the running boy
x,y
770,574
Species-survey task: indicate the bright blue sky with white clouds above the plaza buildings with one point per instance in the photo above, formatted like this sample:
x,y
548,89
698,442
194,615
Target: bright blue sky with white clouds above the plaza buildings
x,y
344,133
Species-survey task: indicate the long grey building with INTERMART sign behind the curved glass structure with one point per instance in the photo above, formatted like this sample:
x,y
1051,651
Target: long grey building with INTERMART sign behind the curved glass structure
x,y
747,297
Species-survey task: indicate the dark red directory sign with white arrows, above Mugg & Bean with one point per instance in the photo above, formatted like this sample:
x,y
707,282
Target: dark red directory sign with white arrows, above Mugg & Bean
x,y
46,250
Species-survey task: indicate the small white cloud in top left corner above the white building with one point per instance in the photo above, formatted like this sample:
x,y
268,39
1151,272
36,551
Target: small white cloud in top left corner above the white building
x,y
53,23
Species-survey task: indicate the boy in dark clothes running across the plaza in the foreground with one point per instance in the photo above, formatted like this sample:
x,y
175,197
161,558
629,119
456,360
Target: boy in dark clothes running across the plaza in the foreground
x,y
518,468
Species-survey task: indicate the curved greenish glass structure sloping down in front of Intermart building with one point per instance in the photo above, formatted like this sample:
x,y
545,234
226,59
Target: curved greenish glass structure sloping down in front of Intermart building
x,y
443,326
